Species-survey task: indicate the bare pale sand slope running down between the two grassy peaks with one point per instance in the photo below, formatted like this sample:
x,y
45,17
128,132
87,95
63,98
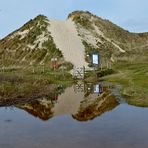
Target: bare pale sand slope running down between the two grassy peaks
x,y
67,40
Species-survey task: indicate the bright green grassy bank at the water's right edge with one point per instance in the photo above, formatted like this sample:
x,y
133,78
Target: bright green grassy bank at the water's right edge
x,y
134,81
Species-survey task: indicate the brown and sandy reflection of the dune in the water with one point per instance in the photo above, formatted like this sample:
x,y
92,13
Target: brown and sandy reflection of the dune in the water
x,y
83,101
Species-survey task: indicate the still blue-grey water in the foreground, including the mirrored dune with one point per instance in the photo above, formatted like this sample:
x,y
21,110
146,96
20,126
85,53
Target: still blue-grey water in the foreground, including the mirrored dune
x,y
81,116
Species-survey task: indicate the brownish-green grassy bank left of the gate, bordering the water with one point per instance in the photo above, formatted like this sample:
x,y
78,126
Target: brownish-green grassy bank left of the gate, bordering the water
x,y
30,83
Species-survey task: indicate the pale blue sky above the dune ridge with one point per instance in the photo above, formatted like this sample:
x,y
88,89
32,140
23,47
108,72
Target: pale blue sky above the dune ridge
x,y
129,14
